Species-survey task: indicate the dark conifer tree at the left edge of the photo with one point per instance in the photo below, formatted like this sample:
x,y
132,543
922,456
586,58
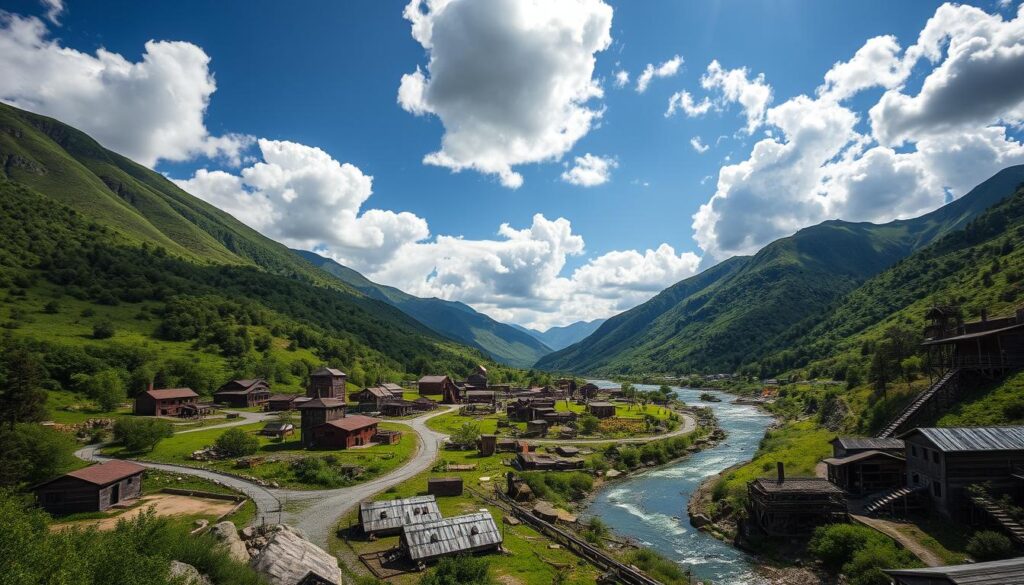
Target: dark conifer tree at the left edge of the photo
x,y
22,399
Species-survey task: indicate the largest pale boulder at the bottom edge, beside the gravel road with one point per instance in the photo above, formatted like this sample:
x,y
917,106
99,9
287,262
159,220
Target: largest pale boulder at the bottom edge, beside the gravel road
x,y
288,558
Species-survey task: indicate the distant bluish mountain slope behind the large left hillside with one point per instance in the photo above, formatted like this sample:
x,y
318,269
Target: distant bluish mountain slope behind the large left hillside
x,y
454,320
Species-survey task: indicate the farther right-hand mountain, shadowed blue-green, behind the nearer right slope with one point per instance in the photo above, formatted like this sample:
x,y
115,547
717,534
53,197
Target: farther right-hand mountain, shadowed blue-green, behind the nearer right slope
x,y
748,311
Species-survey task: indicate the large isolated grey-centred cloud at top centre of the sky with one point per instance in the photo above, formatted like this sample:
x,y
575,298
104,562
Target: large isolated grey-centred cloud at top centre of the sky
x,y
510,80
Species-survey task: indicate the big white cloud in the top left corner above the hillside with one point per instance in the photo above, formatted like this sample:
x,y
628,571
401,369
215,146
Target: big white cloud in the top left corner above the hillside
x,y
149,110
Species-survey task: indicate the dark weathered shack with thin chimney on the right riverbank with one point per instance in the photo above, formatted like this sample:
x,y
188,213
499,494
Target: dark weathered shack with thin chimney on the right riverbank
x,y
796,507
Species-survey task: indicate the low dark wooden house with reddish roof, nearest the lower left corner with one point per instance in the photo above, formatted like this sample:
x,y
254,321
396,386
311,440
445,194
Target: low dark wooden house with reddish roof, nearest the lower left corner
x,y
93,489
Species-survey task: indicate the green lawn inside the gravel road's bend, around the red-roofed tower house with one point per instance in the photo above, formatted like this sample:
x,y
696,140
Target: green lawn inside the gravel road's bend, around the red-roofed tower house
x,y
376,461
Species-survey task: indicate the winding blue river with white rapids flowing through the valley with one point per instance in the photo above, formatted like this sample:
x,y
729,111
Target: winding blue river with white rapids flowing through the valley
x,y
651,507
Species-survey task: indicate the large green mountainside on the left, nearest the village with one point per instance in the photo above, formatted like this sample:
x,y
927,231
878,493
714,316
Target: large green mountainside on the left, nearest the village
x,y
176,278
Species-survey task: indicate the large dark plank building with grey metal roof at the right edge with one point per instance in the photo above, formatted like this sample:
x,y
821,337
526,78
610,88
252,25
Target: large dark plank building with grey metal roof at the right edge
x,y
946,462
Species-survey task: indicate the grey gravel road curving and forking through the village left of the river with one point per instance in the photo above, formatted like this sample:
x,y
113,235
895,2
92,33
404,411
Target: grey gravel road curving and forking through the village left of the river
x,y
316,514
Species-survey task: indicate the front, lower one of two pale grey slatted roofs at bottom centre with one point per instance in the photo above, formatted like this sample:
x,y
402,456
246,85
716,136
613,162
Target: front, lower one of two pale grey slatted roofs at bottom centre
x,y
452,536
